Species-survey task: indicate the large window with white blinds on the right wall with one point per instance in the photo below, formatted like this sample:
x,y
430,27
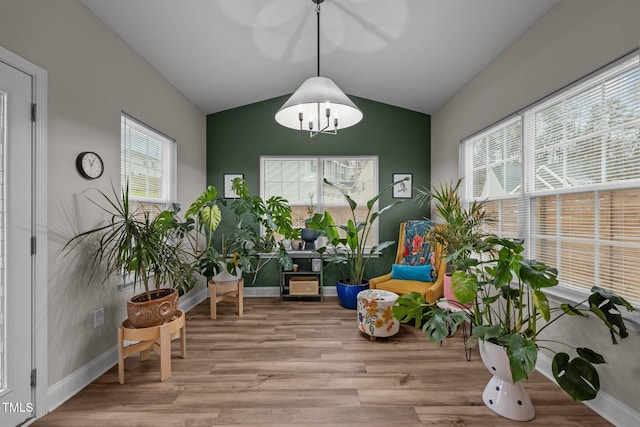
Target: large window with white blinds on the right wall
x,y
564,174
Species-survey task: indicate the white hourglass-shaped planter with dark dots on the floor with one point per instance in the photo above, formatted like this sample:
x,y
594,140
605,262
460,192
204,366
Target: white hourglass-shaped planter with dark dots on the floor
x,y
502,395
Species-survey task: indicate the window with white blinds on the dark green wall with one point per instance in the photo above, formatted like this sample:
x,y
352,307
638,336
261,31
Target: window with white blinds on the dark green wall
x,y
300,181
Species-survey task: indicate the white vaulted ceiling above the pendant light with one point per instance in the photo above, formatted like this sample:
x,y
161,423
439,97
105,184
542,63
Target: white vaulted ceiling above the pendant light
x,y
413,54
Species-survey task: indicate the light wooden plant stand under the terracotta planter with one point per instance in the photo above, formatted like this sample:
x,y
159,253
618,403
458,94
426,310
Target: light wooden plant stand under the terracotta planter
x,y
156,338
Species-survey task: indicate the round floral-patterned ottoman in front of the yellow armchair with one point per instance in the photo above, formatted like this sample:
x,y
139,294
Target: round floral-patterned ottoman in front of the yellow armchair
x,y
375,313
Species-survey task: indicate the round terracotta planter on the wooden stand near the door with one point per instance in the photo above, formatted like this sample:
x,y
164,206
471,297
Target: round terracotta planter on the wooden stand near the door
x,y
143,313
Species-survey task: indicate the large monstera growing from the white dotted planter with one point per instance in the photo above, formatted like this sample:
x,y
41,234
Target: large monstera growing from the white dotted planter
x,y
509,307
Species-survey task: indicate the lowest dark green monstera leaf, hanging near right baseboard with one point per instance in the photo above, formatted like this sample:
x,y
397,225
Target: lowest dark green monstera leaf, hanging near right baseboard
x,y
577,377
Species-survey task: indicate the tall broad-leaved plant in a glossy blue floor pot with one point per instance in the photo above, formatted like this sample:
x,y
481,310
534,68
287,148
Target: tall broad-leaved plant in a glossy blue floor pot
x,y
348,252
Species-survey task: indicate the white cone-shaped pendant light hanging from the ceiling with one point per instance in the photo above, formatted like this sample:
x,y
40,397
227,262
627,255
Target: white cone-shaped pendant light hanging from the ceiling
x,y
318,106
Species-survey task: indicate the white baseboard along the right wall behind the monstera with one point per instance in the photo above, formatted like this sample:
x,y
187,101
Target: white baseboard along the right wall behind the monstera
x,y
604,404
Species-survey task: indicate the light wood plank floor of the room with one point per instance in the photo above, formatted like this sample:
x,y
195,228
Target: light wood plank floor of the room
x,y
304,364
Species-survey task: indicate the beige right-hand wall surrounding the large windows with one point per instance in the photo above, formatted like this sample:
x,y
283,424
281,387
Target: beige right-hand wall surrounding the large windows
x,y
575,38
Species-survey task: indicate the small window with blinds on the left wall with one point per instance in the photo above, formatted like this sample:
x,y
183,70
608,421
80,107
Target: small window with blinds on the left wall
x,y
148,162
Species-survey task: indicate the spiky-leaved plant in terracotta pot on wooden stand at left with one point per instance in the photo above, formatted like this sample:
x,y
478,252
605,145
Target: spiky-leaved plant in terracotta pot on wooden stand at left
x,y
150,248
